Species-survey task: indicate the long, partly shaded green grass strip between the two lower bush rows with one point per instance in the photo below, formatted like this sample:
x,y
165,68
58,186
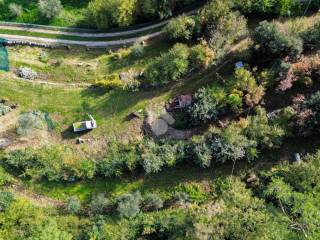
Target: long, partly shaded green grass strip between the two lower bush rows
x,y
163,183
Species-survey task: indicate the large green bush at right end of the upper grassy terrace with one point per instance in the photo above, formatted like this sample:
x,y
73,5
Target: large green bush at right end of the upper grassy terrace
x,y
169,67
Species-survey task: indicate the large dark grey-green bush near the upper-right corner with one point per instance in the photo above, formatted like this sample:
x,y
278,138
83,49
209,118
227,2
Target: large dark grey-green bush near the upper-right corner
x,y
273,43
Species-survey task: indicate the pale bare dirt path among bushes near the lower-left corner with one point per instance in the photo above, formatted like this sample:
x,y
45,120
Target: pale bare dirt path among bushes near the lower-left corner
x,y
36,199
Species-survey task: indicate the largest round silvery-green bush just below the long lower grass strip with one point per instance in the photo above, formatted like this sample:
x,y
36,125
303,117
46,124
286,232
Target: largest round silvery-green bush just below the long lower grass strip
x,y
129,204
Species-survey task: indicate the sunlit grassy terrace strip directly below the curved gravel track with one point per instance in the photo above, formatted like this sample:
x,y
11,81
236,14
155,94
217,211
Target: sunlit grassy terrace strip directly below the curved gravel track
x,y
79,65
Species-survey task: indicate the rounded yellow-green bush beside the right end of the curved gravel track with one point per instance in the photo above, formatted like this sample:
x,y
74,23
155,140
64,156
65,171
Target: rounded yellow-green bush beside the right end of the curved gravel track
x,y
180,29
